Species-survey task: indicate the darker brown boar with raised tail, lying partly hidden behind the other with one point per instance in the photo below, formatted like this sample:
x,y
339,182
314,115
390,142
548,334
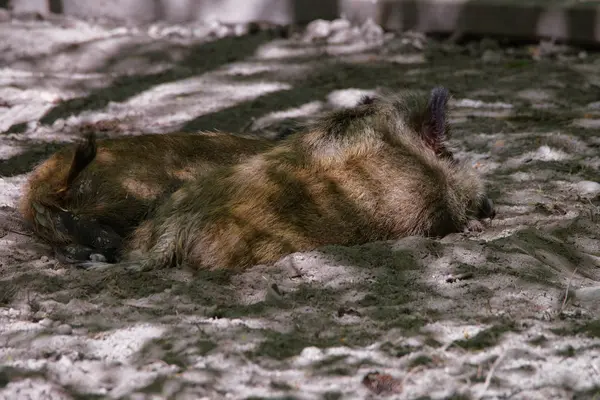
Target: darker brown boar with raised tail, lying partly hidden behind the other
x,y
85,199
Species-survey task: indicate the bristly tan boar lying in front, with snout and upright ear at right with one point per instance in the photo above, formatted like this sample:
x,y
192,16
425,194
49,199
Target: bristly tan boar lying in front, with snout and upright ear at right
x,y
378,171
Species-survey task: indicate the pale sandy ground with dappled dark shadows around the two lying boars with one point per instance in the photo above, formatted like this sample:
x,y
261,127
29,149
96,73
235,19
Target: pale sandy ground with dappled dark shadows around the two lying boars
x,y
468,316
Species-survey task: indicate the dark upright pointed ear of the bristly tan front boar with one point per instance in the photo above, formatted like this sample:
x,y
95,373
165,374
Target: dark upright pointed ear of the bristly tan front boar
x,y
434,130
